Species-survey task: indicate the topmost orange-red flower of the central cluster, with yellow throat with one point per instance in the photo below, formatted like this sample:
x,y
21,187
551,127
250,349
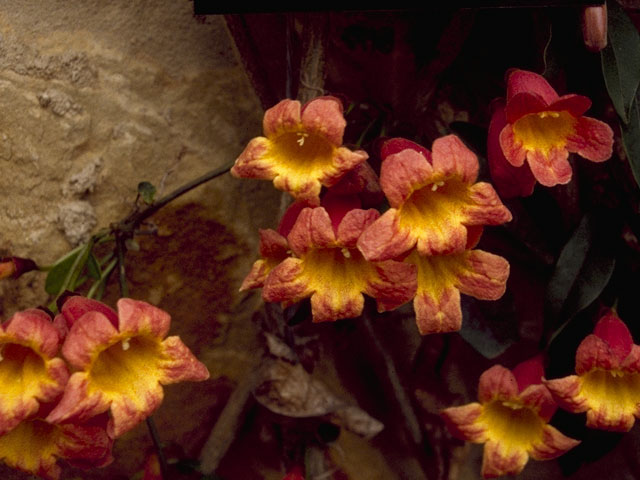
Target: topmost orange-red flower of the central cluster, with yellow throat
x,y
301,149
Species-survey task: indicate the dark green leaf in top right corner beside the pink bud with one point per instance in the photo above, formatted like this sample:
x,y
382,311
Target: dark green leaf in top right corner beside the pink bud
x,y
621,61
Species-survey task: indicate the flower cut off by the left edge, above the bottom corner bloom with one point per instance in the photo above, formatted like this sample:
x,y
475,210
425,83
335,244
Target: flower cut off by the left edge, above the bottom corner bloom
x,y
30,373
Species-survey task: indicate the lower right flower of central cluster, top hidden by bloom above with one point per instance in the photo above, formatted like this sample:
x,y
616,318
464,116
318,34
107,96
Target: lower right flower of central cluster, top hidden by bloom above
x,y
441,279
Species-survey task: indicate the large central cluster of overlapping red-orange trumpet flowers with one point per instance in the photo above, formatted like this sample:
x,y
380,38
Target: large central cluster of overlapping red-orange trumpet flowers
x,y
332,250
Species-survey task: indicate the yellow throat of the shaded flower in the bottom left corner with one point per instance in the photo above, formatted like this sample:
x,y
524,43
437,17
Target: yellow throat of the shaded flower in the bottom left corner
x,y
29,443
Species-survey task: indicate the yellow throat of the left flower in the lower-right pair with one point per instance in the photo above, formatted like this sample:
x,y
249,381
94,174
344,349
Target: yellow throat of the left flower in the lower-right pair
x,y
513,425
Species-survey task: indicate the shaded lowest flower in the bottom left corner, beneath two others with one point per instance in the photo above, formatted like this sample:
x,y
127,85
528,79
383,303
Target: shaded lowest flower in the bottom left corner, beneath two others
x,y
35,445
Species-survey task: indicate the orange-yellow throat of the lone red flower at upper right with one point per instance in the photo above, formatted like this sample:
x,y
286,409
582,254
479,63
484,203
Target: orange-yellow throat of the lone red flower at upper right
x,y
545,130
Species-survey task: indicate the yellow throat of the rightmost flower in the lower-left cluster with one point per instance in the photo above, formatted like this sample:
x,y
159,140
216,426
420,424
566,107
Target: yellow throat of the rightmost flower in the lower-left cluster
x,y
129,367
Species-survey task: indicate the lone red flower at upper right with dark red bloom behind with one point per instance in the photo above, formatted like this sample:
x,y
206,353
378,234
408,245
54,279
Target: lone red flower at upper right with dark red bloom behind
x,y
537,125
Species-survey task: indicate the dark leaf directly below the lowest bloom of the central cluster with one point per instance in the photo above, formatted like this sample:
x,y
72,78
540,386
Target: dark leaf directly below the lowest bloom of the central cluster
x,y
489,327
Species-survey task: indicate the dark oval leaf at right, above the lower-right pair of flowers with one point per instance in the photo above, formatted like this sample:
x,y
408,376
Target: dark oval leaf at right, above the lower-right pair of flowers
x,y
582,271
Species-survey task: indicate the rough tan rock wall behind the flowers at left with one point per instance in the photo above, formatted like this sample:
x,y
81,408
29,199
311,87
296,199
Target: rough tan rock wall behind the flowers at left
x,y
96,97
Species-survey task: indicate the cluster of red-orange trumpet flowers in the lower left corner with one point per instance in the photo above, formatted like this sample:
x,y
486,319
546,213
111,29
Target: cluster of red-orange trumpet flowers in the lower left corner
x,y
109,377
